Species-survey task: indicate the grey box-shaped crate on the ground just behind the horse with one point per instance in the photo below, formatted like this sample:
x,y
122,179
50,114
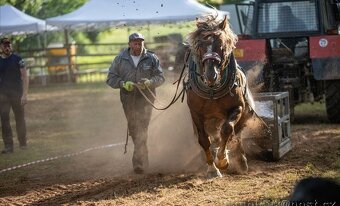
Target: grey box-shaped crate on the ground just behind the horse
x,y
275,112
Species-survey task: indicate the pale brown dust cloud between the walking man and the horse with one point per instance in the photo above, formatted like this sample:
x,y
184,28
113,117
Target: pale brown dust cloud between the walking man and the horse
x,y
173,147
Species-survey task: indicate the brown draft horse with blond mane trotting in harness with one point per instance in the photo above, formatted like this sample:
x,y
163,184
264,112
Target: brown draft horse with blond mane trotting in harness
x,y
217,95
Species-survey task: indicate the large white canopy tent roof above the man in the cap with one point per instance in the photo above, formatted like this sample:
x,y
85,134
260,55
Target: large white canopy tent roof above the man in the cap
x,y
110,13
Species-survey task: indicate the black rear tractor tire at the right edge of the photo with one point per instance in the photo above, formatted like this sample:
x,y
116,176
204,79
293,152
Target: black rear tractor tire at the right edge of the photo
x,y
332,88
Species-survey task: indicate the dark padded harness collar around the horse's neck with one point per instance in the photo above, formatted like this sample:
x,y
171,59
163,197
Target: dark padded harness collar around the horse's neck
x,y
215,92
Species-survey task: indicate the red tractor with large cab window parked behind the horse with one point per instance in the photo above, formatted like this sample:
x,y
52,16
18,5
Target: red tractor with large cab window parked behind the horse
x,y
293,46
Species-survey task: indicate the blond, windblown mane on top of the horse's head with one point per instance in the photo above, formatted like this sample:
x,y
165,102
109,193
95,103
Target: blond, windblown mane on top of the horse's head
x,y
210,25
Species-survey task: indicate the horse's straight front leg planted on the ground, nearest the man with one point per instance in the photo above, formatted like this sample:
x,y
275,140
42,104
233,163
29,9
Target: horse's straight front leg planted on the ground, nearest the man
x,y
205,143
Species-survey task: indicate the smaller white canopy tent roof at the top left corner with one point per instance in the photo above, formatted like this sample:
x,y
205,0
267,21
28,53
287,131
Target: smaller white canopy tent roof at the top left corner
x,y
15,22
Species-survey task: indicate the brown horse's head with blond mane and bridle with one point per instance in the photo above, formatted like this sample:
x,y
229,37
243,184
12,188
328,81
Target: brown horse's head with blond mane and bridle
x,y
212,42
